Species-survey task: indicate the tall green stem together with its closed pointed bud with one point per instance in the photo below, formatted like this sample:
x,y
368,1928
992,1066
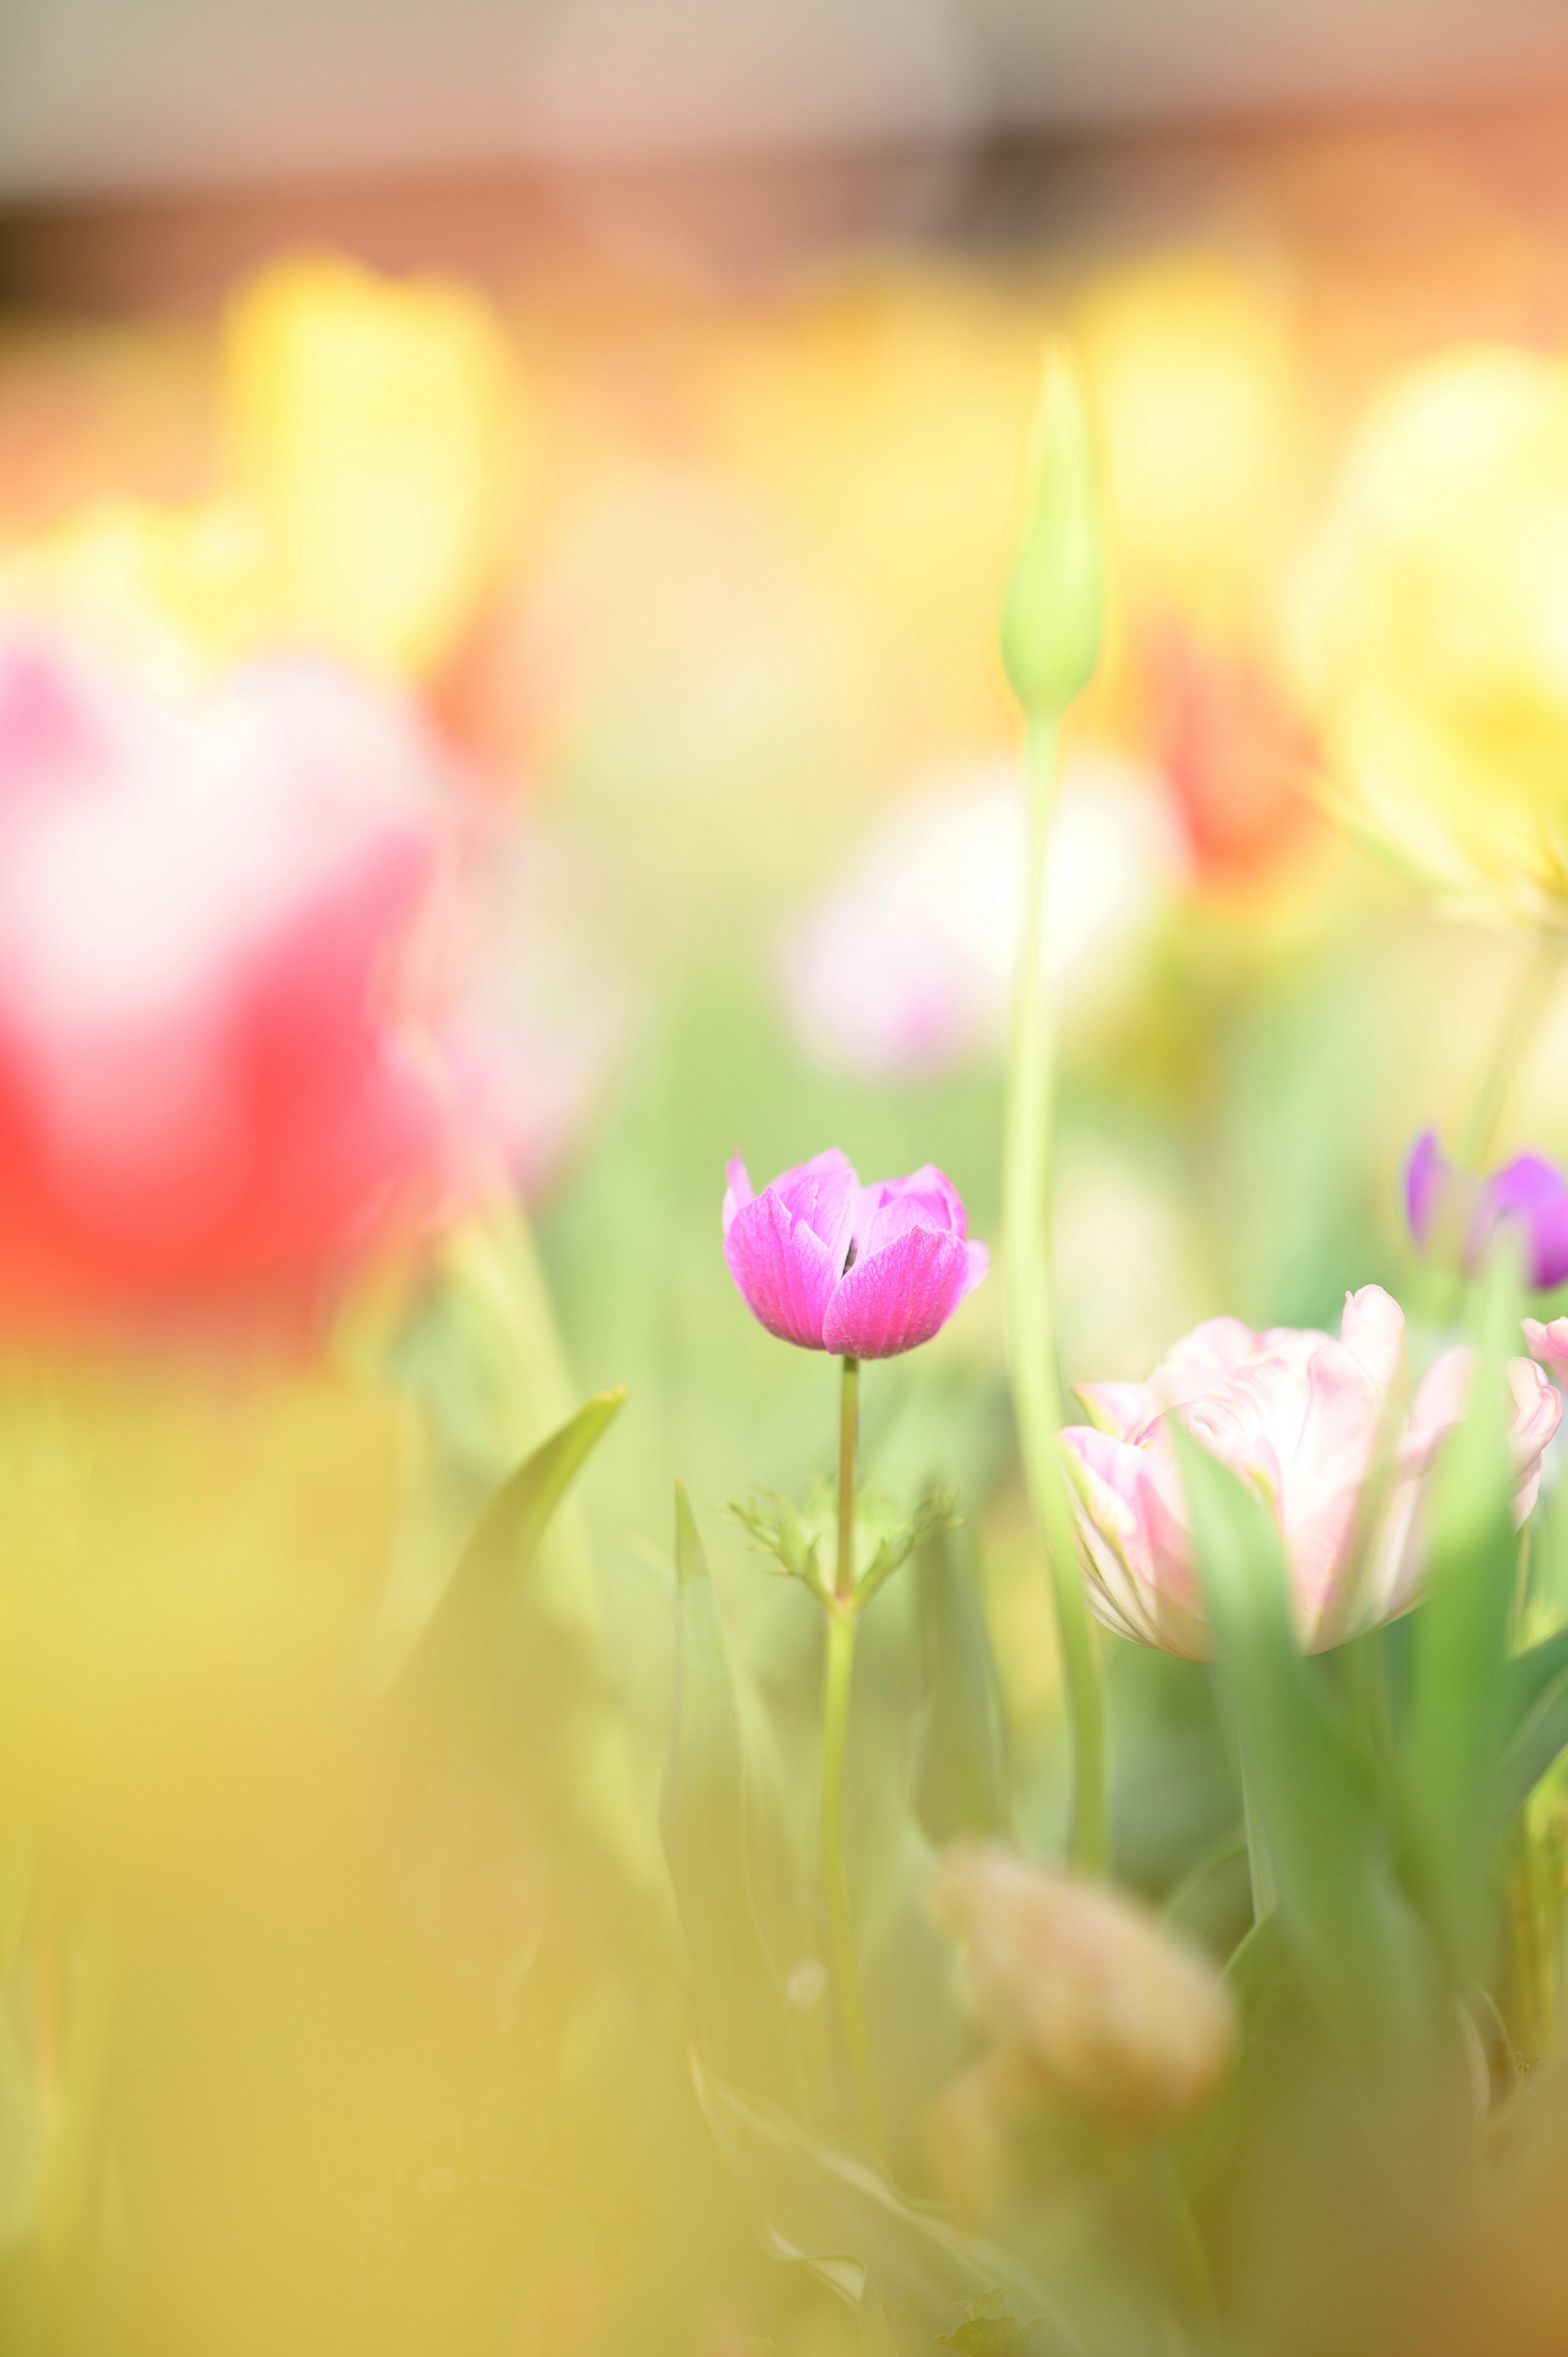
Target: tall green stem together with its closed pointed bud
x,y
1053,628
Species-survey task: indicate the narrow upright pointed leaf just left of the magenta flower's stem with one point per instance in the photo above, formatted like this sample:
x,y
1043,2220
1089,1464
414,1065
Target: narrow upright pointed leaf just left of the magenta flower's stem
x,y
746,2023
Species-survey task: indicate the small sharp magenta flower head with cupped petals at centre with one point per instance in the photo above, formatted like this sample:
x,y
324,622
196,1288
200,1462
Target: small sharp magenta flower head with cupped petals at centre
x,y
864,1272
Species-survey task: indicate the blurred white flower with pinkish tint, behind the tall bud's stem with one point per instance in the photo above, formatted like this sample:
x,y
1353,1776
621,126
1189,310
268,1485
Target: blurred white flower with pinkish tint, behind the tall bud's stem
x,y
907,963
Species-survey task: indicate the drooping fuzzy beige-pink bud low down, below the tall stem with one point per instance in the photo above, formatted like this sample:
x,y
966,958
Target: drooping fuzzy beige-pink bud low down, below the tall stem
x,y
1088,2000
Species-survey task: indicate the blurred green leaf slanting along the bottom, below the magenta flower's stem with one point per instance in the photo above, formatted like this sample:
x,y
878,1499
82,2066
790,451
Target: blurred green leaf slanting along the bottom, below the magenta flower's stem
x,y
838,2217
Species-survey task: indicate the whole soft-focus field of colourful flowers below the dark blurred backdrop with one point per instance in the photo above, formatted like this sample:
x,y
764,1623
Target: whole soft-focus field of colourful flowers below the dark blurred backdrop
x,y
477,767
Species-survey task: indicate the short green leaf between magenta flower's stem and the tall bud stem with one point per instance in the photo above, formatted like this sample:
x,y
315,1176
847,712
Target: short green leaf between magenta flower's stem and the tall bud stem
x,y
963,1771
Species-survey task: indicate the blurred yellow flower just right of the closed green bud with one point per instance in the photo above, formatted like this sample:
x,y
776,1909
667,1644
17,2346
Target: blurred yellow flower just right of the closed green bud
x,y
1197,376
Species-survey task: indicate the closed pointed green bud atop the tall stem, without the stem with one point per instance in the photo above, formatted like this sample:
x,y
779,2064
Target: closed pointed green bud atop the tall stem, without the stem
x,y
1055,607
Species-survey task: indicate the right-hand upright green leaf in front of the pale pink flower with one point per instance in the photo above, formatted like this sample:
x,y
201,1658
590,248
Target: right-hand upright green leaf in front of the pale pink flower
x,y
1458,1719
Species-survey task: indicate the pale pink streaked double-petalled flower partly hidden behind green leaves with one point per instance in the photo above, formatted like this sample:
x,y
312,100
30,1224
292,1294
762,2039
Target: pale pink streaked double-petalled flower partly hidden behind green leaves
x,y
1315,1425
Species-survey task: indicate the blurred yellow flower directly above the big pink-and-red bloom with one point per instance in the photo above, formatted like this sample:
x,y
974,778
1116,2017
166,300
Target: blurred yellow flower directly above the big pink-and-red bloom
x,y
374,425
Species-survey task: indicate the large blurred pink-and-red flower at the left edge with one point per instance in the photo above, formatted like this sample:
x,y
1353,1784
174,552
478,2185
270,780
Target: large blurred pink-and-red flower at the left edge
x,y
216,993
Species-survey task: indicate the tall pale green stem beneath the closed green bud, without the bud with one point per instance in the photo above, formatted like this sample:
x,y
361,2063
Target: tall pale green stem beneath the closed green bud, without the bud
x,y
1032,1345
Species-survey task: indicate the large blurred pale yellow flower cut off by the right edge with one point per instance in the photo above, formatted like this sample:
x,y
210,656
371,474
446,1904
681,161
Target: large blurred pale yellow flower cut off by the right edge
x,y
1432,633
